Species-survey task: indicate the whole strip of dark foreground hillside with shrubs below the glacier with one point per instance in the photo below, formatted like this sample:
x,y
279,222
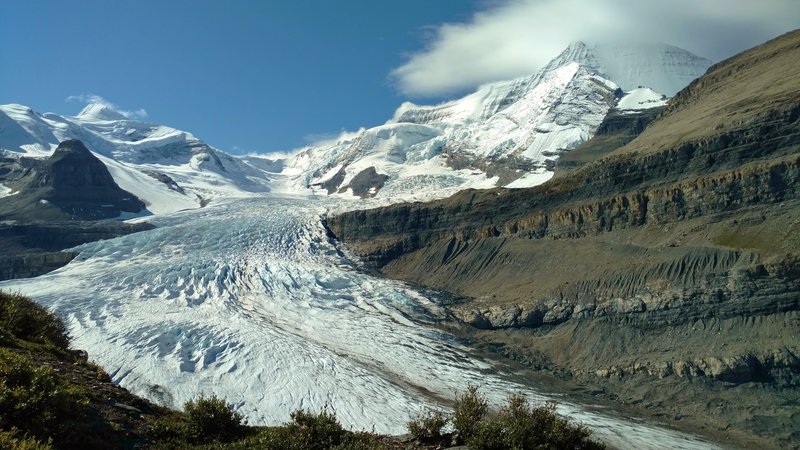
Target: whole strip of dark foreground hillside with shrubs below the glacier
x,y
52,397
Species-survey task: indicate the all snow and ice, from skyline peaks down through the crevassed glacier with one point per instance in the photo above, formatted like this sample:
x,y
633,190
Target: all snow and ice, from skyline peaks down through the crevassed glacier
x,y
239,292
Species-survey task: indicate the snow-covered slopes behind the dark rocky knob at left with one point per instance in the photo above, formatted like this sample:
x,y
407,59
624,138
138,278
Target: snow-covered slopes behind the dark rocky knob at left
x,y
134,152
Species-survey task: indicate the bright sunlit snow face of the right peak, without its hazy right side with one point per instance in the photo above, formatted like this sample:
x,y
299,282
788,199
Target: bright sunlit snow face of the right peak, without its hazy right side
x,y
434,151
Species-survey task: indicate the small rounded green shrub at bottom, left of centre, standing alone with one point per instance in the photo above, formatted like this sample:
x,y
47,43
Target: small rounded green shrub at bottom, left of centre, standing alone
x,y
210,418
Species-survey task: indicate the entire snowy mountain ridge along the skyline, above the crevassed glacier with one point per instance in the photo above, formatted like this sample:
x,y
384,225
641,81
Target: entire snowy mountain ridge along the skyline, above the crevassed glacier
x,y
508,133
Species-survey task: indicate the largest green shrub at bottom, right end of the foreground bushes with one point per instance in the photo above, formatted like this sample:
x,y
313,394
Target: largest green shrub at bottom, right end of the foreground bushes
x,y
518,426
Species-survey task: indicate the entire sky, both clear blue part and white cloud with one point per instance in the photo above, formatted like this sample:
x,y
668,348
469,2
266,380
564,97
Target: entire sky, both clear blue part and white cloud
x,y
267,76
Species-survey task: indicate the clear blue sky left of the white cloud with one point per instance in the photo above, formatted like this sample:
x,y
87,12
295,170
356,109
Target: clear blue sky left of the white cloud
x,y
246,76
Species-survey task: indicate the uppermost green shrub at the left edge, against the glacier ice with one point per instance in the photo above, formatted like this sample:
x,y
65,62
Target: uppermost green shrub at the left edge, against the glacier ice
x,y
29,321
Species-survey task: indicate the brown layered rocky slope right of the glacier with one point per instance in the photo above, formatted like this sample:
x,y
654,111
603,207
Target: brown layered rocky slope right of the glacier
x,y
666,272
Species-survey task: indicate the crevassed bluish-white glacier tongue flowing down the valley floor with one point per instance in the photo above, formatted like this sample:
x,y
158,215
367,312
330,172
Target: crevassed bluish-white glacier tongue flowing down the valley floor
x,y
248,299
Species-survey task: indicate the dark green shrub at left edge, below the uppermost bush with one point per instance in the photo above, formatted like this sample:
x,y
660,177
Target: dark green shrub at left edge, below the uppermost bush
x,y
37,400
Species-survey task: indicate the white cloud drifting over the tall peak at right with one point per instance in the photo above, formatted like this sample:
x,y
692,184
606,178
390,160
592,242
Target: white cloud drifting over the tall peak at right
x,y
516,37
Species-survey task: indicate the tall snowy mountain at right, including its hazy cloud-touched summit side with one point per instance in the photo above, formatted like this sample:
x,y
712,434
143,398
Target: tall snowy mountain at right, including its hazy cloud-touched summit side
x,y
507,133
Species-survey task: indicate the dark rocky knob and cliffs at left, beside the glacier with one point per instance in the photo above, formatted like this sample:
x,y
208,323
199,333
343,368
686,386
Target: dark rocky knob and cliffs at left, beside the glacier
x,y
55,204
